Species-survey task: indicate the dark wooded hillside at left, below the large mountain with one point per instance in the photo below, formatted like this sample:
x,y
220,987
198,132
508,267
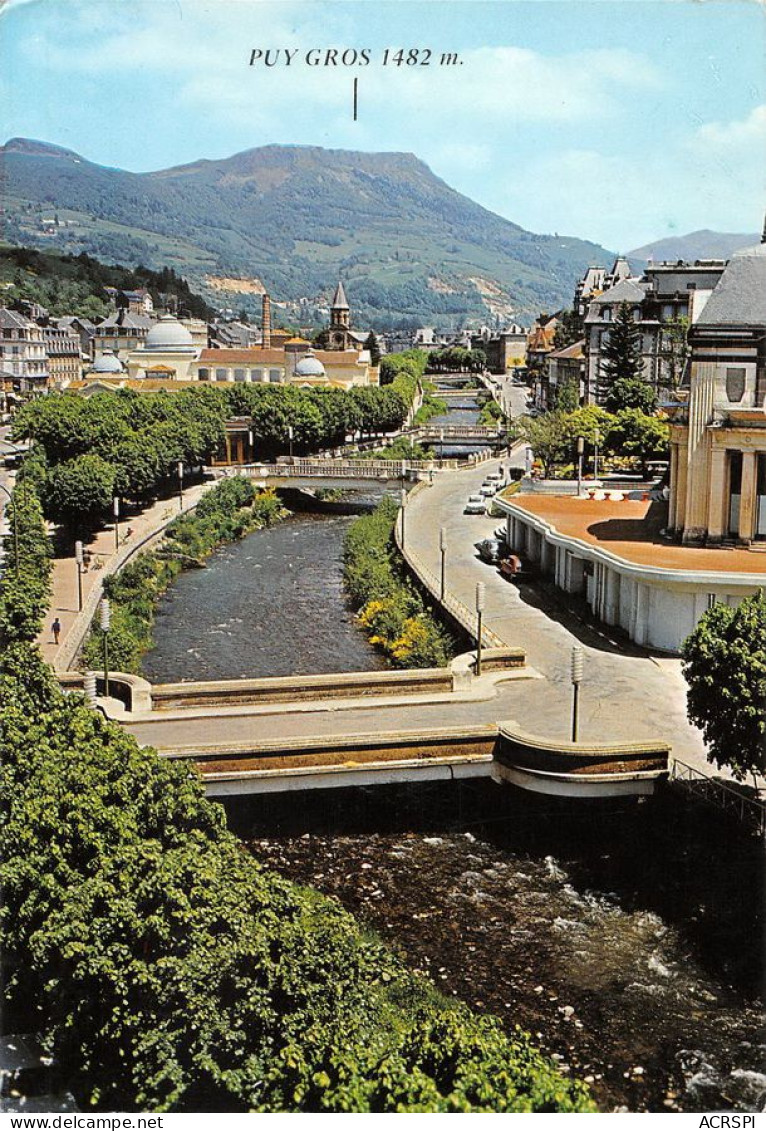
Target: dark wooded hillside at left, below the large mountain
x,y
75,284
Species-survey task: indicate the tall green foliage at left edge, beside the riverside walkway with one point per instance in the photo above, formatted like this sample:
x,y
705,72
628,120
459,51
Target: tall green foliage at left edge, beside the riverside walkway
x,y
24,595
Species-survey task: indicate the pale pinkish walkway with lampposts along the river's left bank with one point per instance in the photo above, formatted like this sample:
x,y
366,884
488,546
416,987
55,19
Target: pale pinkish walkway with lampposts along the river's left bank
x,y
106,559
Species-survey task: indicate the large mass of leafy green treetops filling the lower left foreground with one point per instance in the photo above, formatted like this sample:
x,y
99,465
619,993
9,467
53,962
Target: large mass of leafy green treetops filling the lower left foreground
x,y
168,971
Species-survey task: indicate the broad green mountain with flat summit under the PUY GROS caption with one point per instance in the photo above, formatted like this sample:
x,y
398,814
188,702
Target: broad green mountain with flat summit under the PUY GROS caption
x,y
295,220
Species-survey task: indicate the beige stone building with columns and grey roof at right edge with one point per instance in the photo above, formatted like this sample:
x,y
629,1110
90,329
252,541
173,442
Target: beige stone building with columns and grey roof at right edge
x,y
718,488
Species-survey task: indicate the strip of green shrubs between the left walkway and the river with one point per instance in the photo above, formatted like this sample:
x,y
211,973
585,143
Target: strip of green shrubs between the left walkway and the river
x,y
226,514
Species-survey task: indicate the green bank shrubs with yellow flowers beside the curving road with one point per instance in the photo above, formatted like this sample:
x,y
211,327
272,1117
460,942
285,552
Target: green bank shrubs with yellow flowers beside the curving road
x,y
390,608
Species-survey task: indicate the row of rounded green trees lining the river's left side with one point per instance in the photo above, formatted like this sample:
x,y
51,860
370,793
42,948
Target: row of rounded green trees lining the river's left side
x,y
128,445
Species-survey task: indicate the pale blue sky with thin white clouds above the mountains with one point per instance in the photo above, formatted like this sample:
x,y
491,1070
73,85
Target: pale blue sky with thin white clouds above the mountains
x,y
621,122
